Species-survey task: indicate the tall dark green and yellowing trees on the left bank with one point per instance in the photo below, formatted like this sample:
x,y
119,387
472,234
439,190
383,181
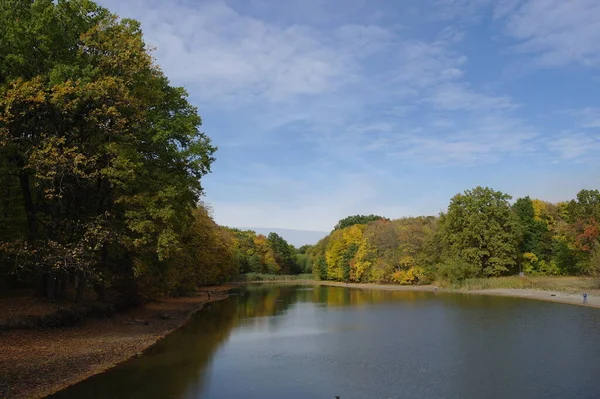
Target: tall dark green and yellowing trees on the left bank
x,y
100,160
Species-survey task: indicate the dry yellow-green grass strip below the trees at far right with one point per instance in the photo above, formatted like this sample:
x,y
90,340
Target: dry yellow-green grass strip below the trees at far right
x,y
548,283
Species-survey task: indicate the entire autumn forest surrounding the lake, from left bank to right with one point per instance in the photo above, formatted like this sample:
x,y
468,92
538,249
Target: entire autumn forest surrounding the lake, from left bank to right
x,y
101,164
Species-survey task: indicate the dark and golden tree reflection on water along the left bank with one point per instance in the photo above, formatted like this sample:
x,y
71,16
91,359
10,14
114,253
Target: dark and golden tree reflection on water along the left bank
x,y
177,366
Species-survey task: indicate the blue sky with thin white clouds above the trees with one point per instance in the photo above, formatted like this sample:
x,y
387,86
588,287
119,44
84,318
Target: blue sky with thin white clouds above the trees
x,y
326,108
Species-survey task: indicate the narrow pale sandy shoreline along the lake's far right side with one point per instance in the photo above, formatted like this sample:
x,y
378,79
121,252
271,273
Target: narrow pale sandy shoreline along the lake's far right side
x,y
555,296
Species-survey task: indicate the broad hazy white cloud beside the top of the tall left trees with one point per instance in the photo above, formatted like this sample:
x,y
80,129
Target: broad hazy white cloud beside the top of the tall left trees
x,y
236,58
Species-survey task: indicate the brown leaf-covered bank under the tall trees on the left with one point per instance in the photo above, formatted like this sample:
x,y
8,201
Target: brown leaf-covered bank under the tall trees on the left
x,y
38,363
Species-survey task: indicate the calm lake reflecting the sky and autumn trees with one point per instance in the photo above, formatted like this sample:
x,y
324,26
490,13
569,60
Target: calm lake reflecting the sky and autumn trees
x,y
303,342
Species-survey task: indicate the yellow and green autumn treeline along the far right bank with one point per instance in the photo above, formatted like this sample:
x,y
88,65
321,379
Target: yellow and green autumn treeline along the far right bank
x,y
481,235
